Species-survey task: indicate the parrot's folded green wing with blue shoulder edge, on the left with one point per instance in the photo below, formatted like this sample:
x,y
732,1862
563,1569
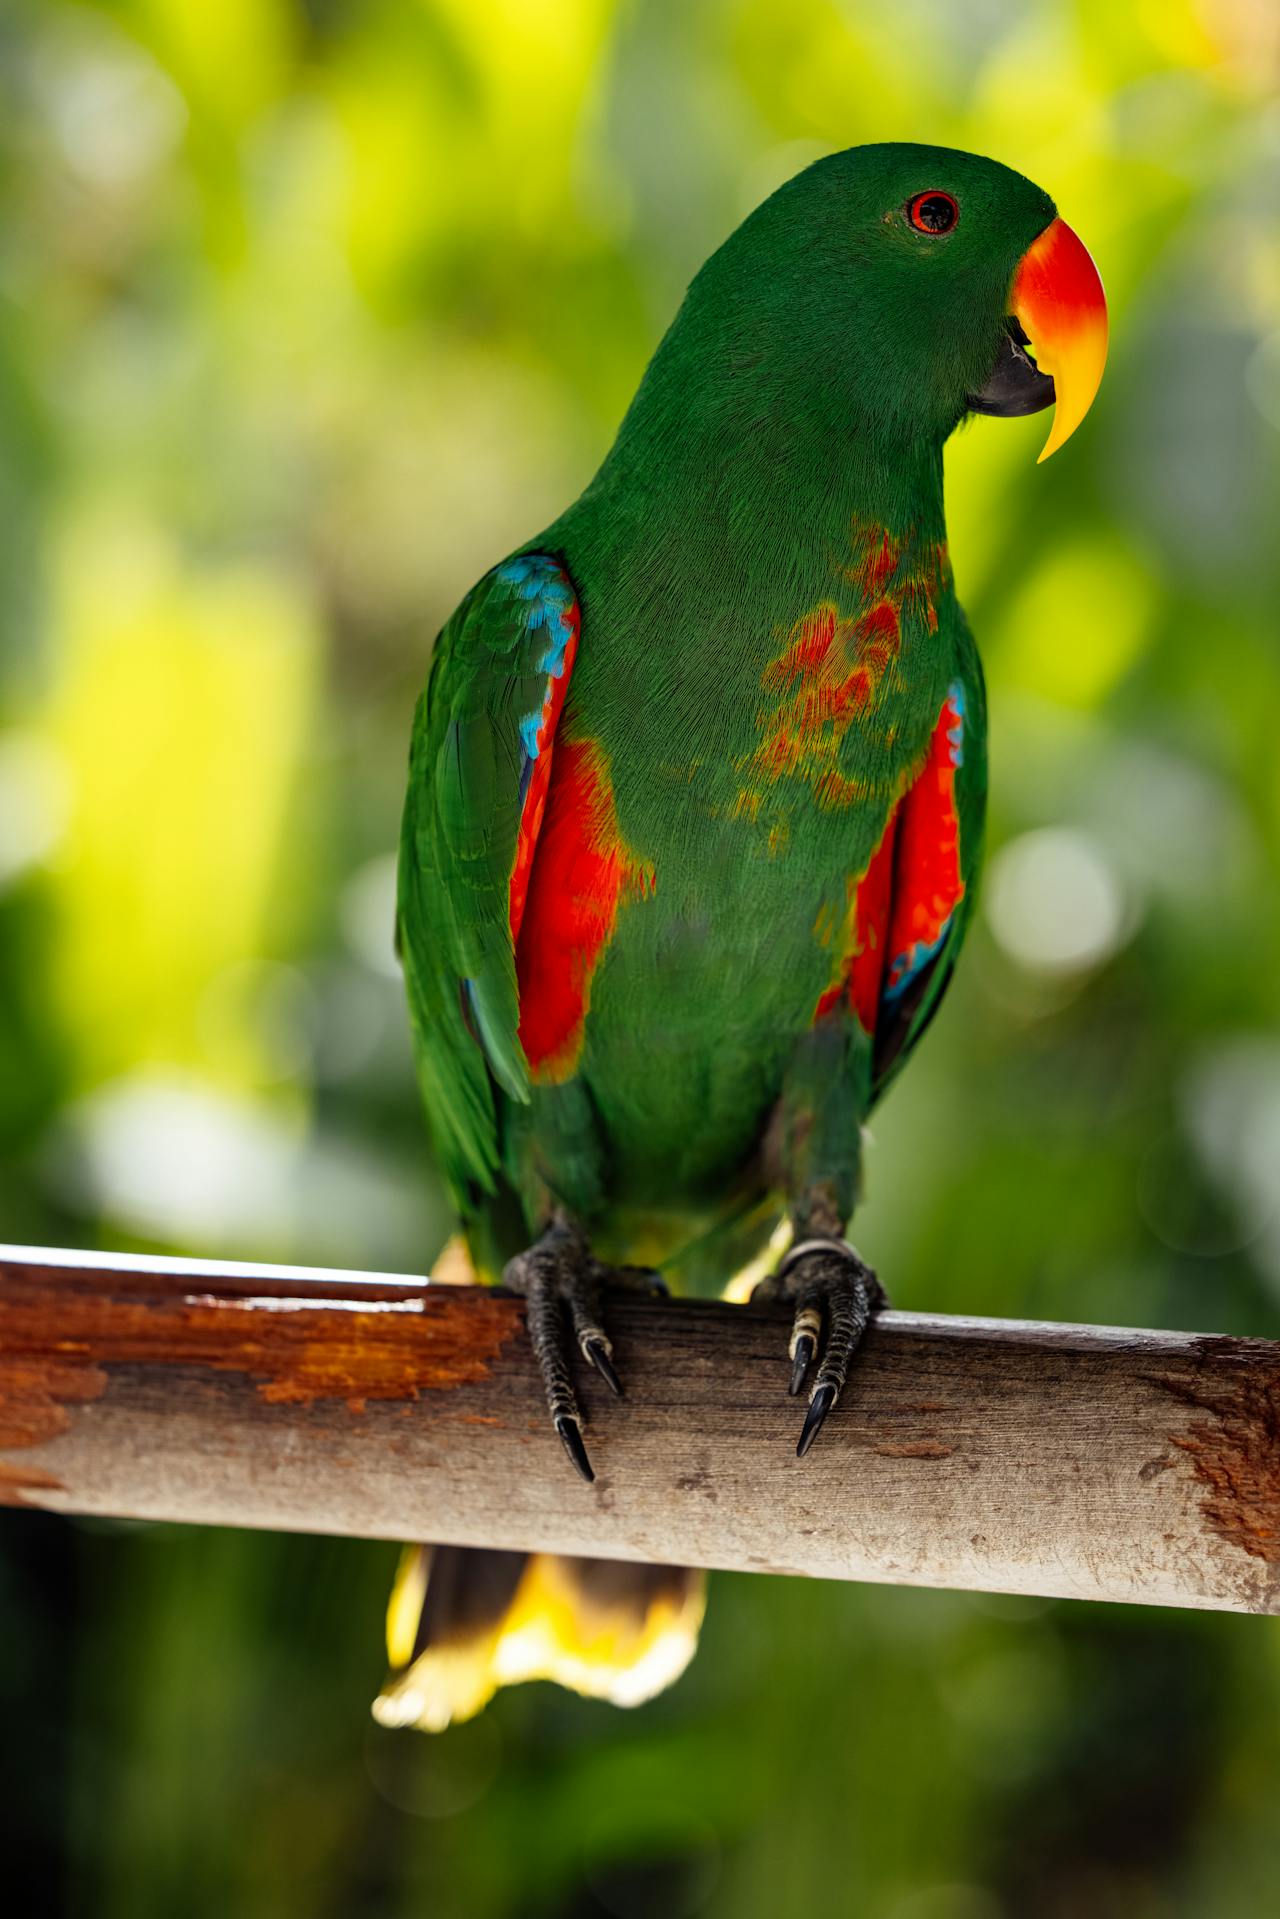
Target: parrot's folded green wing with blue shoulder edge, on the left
x,y
479,770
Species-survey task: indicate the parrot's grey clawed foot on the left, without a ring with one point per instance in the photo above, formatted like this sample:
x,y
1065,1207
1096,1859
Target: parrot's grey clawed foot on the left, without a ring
x,y
561,1275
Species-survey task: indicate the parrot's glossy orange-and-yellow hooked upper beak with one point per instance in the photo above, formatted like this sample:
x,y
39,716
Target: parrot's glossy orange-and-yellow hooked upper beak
x,y
1060,304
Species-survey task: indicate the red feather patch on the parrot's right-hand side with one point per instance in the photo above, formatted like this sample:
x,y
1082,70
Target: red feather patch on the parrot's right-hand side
x,y
901,907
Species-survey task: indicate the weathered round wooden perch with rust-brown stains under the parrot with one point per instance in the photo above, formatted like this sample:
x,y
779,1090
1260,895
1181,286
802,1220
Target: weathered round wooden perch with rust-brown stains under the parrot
x,y
972,1454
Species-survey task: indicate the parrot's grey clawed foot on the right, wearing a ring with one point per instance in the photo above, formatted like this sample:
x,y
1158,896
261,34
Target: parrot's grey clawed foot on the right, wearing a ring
x,y
824,1271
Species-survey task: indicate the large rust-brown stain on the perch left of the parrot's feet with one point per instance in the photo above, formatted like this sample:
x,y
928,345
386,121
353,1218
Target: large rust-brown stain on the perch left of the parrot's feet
x,y
64,1329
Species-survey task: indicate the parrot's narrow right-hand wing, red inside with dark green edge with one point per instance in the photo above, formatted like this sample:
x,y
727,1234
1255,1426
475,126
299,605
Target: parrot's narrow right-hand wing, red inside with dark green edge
x,y
934,849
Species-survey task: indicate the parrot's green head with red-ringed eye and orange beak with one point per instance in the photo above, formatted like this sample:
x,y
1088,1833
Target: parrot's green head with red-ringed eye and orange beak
x,y
914,285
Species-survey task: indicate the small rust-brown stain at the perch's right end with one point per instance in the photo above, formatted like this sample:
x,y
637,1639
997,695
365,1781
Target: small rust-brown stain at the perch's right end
x,y
1237,1450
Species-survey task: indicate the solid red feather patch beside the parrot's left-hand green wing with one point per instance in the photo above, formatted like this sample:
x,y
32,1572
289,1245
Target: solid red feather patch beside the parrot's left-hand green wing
x,y
581,878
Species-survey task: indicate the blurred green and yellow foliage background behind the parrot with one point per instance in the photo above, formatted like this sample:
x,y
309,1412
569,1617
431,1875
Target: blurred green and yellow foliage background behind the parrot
x,y
310,312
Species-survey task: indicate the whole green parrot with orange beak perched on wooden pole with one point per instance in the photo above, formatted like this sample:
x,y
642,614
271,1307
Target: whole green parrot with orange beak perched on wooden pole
x,y
694,830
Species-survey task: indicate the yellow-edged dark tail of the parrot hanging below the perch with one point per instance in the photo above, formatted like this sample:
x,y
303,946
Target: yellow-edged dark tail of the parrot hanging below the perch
x,y
465,1621
